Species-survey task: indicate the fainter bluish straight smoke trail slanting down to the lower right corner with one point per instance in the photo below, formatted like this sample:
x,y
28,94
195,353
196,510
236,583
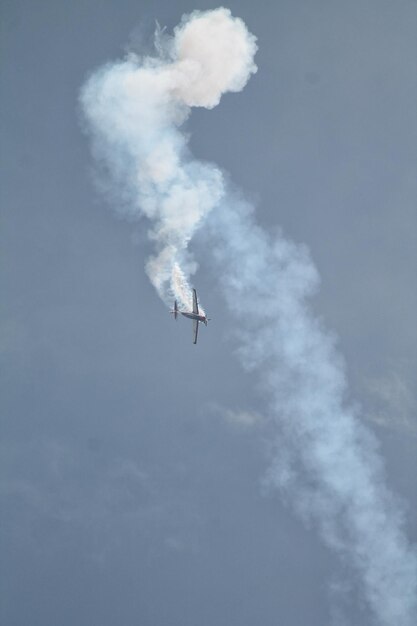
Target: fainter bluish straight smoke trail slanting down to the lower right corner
x,y
325,463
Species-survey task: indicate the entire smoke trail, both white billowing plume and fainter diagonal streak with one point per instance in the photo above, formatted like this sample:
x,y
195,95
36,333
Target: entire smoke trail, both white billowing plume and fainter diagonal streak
x,y
325,461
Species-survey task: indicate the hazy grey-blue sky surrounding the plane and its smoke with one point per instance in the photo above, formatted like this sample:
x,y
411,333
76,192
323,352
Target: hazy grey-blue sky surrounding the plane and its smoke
x,y
131,461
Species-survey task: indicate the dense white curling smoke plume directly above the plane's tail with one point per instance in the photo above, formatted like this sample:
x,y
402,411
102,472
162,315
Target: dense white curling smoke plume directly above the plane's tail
x,y
134,109
